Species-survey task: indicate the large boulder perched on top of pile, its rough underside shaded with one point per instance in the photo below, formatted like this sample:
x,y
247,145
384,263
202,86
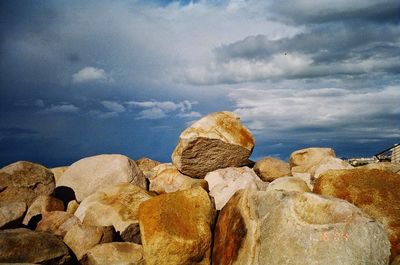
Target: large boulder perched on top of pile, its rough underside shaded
x,y
217,140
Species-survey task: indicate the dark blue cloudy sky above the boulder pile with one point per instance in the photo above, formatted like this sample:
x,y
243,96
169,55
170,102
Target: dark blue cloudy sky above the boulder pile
x,y
81,78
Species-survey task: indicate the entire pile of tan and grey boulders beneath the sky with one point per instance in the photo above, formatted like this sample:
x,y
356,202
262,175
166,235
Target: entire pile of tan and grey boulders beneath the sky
x,y
211,205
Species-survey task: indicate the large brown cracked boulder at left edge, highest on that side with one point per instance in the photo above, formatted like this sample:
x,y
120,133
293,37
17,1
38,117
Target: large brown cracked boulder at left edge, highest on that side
x,y
24,181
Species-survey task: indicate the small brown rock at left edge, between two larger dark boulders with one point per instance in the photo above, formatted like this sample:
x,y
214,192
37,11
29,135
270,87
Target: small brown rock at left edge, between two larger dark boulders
x,y
11,214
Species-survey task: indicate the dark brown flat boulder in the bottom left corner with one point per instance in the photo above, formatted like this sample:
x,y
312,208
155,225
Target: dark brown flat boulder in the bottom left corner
x,y
25,246
